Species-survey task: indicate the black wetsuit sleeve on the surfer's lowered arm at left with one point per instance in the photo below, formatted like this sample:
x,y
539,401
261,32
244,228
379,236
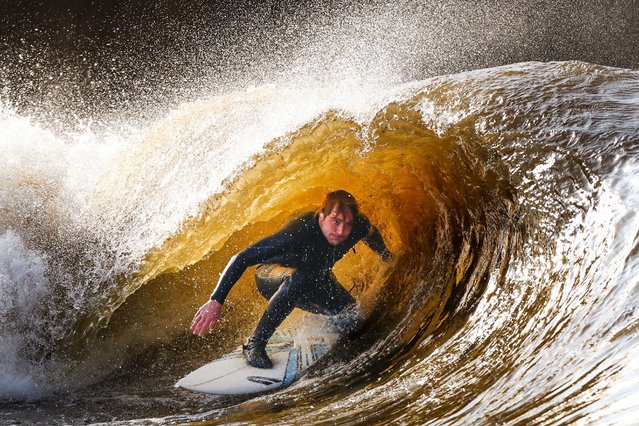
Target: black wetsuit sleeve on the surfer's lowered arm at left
x,y
254,254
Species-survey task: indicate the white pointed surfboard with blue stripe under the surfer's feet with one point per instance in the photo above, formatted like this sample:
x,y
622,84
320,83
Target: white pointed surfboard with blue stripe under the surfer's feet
x,y
231,375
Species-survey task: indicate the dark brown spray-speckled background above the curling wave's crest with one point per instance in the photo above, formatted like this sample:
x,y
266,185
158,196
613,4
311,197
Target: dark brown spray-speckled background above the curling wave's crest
x,y
115,58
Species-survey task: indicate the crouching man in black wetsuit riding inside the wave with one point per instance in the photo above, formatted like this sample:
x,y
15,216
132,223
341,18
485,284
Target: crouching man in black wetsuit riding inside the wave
x,y
296,271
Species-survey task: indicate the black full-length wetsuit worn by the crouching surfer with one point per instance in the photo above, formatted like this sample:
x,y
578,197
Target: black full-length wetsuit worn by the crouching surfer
x,y
296,270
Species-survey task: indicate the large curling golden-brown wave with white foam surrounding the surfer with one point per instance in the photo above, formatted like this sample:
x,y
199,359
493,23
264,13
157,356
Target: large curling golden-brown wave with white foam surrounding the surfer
x,y
508,195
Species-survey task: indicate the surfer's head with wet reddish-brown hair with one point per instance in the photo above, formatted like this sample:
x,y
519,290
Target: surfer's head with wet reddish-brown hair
x,y
336,216
